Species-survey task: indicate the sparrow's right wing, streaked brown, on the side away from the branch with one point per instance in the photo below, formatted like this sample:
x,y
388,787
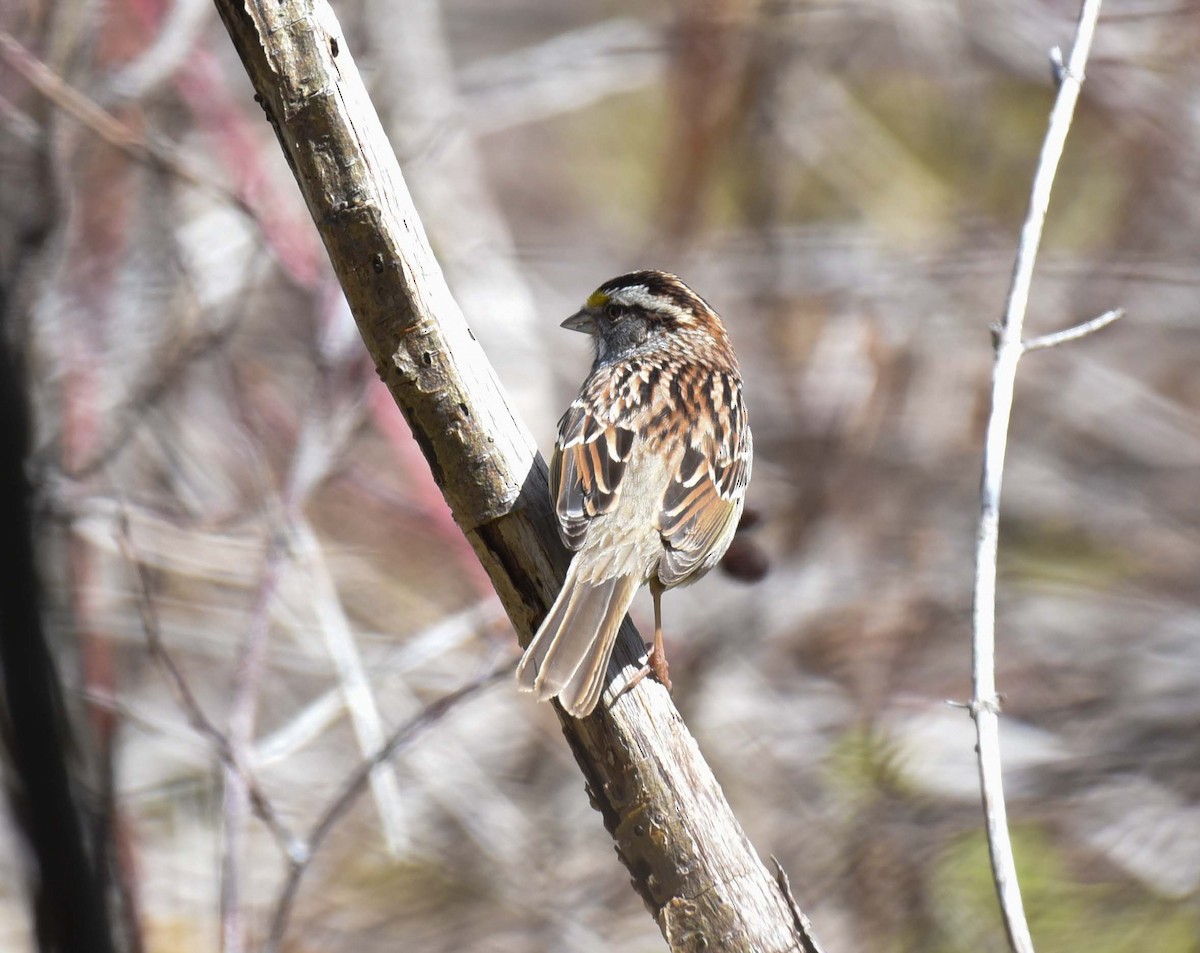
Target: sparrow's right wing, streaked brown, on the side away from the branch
x,y
704,500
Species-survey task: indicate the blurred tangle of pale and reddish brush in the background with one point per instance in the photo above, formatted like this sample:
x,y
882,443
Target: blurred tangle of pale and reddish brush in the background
x,y
220,472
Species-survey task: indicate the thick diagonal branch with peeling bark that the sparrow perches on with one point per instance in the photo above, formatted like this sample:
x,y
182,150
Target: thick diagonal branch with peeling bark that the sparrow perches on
x,y
691,861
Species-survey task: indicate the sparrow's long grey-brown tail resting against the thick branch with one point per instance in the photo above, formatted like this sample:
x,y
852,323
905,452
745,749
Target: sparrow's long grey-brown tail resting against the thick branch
x,y
569,656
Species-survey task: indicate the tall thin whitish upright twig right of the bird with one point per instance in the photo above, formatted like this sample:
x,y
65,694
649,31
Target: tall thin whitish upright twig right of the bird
x,y
986,704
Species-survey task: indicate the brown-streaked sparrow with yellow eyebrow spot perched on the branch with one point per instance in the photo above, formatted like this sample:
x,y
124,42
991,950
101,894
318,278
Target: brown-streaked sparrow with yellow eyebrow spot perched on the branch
x,y
649,477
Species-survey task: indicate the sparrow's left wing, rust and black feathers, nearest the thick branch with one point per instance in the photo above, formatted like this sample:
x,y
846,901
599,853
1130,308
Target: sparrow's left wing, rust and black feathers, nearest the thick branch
x,y
586,470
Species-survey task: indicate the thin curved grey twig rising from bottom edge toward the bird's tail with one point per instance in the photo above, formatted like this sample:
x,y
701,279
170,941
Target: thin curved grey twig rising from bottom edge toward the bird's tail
x,y
355,787
